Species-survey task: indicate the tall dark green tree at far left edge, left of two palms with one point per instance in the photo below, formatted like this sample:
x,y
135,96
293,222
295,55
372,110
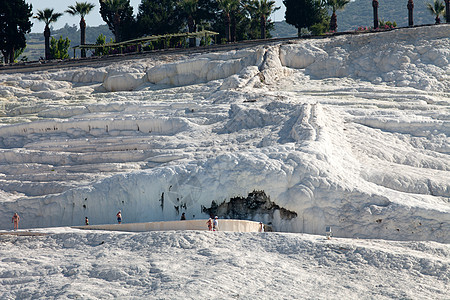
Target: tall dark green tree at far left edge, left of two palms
x,y
14,24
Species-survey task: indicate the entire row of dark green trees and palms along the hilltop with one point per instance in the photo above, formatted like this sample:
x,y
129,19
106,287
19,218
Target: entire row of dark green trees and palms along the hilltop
x,y
234,20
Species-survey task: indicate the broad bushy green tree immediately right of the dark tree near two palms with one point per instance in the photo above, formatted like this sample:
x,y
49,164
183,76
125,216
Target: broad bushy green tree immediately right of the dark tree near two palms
x,y
157,17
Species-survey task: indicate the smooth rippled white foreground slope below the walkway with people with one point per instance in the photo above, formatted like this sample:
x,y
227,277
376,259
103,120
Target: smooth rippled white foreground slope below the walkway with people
x,y
218,265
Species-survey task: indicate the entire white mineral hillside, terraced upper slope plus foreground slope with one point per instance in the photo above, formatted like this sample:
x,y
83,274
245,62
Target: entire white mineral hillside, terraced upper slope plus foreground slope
x,y
348,132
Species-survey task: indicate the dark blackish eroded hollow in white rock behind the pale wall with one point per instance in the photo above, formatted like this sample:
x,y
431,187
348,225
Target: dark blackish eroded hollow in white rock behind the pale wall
x,y
256,206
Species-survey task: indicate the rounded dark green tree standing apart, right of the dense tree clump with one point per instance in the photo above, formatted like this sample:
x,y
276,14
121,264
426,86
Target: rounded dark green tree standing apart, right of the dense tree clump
x,y
304,13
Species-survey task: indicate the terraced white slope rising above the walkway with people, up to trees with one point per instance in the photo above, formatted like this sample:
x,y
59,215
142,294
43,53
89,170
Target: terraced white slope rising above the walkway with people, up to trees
x,y
350,132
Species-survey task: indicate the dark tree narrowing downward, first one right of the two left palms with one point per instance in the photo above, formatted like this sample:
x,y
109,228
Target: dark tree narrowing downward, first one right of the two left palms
x,y
118,14
